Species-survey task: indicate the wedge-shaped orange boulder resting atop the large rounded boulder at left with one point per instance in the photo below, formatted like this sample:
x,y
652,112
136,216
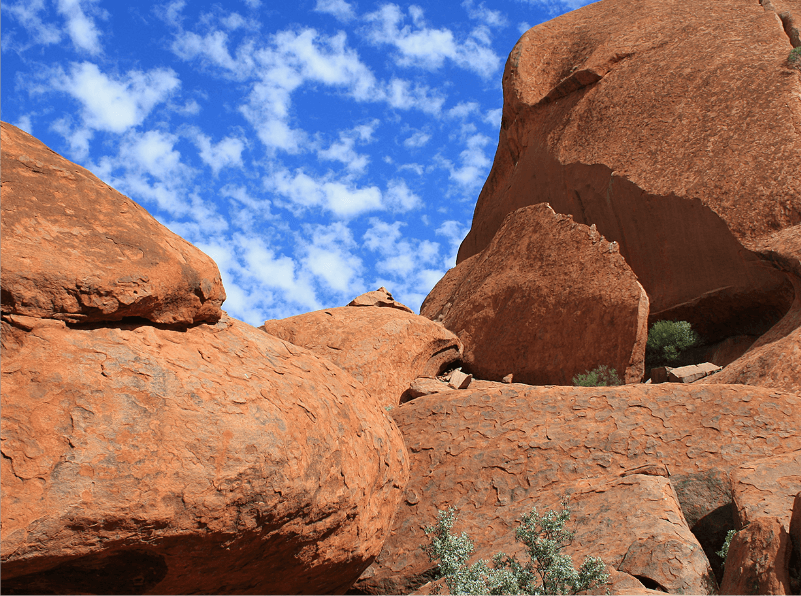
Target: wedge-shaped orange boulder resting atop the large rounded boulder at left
x,y
77,250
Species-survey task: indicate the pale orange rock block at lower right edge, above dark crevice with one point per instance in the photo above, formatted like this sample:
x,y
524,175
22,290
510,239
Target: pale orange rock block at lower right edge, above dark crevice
x,y
766,488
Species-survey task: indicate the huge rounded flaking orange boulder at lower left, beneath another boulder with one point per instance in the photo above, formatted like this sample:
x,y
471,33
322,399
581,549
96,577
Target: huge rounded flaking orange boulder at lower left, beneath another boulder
x,y
214,460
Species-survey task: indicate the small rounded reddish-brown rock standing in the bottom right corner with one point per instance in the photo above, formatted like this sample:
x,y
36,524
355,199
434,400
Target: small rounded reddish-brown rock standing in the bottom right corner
x,y
758,559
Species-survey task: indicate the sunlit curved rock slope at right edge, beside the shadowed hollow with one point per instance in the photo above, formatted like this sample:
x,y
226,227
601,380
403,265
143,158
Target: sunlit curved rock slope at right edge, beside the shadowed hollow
x,y
774,360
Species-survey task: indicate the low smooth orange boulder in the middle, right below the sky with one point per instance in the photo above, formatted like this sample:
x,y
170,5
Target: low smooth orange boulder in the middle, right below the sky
x,y
384,348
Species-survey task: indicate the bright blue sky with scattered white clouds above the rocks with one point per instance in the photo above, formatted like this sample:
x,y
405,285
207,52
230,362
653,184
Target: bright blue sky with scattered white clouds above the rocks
x,y
315,149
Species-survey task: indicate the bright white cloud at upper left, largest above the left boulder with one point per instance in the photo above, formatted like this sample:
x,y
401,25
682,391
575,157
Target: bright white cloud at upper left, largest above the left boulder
x,y
115,104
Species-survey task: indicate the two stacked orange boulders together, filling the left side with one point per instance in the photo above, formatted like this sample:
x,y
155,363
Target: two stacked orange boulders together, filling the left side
x,y
199,456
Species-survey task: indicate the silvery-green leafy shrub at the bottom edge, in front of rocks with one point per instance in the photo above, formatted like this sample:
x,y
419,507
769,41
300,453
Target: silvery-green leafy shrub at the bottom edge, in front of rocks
x,y
549,571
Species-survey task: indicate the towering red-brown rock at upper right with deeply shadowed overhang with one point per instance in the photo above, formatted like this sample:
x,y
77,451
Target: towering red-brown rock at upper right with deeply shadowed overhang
x,y
631,115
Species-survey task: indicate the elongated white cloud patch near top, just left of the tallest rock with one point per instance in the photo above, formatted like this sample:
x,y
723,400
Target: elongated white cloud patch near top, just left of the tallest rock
x,y
429,48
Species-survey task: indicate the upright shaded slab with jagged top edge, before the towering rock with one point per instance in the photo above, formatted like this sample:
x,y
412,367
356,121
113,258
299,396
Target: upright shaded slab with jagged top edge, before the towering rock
x,y
547,299
